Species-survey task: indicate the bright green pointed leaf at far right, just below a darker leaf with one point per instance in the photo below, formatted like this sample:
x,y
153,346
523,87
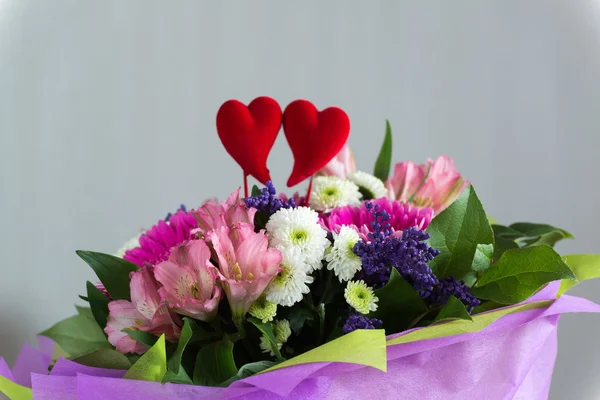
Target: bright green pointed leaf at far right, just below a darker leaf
x,y
521,272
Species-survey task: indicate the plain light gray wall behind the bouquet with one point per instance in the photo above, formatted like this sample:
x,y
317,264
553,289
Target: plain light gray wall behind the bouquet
x,y
107,116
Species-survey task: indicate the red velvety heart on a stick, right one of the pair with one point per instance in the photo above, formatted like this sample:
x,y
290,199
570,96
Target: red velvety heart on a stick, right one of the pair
x,y
315,137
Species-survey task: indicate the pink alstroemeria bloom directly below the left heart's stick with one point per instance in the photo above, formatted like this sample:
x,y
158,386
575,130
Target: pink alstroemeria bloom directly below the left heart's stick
x,y
214,214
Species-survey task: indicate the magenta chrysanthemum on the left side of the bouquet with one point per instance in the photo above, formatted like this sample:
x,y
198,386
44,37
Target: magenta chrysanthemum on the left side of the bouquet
x,y
156,242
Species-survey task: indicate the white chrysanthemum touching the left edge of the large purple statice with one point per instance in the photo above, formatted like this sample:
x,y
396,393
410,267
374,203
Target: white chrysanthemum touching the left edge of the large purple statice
x,y
341,258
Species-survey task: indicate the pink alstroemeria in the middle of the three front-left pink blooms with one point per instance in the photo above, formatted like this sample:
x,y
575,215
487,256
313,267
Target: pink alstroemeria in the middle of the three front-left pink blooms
x,y
189,281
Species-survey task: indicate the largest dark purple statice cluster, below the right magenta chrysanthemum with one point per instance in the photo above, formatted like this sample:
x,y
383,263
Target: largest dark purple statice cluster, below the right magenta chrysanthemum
x,y
409,254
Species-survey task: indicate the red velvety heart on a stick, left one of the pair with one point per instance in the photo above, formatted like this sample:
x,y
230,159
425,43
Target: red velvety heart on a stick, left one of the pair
x,y
248,133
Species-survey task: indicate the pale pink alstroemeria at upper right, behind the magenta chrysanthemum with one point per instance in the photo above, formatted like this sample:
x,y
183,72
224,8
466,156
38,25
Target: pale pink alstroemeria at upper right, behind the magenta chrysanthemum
x,y
442,186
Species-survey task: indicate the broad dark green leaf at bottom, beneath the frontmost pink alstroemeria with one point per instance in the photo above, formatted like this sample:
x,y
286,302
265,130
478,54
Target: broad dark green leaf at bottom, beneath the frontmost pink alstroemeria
x,y
214,363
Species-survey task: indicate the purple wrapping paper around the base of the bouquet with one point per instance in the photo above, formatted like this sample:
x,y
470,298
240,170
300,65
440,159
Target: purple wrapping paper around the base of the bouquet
x,y
513,358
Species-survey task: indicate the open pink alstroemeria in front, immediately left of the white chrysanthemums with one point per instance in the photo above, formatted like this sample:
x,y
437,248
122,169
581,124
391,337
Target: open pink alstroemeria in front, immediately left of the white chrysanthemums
x,y
246,264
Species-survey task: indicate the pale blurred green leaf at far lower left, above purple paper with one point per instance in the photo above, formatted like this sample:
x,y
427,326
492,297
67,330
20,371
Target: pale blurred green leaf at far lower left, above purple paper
x,y
79,334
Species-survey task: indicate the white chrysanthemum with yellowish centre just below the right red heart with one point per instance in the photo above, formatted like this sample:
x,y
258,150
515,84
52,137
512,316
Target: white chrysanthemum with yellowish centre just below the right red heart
x,y
329,192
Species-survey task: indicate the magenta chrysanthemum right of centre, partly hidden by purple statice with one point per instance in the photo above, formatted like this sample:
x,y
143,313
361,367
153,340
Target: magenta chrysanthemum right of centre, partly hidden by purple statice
x,y
403,216
